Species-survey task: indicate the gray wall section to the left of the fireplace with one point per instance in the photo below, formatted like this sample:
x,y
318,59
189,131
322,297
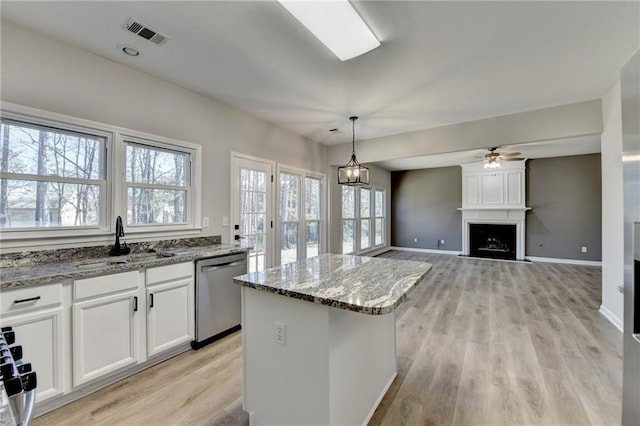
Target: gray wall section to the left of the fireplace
x,y
423,205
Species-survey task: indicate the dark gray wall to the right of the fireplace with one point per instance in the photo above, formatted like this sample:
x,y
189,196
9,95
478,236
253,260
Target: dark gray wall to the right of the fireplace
x,y
565,195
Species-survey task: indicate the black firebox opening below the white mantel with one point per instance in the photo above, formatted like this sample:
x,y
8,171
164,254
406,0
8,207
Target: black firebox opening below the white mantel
x,y
492,241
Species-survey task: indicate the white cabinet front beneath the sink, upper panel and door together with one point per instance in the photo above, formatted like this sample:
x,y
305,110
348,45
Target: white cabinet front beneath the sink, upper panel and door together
x,y
106,313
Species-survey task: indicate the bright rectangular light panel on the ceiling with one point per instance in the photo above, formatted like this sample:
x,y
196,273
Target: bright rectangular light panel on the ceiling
x,y
336,24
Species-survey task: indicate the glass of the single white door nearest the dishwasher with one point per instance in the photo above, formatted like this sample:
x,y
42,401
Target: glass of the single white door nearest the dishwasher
x,y
253,217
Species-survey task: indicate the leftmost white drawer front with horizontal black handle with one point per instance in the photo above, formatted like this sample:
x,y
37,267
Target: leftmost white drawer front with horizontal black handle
x,y
29,298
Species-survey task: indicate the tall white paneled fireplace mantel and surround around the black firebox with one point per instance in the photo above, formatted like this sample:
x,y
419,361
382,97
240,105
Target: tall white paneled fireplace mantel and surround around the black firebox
x,y
494,196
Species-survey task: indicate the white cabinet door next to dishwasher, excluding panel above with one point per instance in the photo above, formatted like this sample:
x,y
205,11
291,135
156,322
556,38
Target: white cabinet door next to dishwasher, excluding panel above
x,y
170,318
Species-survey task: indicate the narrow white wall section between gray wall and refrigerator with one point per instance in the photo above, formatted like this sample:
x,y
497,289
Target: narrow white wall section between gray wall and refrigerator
x,y
612,208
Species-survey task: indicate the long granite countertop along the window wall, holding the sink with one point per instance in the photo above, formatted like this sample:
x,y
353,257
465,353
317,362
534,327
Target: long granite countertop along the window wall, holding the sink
x,y
45,273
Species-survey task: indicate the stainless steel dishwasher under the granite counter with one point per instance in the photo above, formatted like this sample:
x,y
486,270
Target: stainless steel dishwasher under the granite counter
x,y
218,303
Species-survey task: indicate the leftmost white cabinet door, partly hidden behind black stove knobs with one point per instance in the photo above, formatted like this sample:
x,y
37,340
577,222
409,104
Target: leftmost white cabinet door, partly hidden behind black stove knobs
x,y
41,336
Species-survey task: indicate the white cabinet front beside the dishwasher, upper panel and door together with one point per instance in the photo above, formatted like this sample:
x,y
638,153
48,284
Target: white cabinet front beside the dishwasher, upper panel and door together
x,y
170,307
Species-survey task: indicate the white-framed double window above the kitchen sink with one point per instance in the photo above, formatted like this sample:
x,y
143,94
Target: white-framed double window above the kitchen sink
x,y
65,179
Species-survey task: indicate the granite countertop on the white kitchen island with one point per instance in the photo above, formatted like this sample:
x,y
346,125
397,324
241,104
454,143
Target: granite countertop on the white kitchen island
x,y
362,284
